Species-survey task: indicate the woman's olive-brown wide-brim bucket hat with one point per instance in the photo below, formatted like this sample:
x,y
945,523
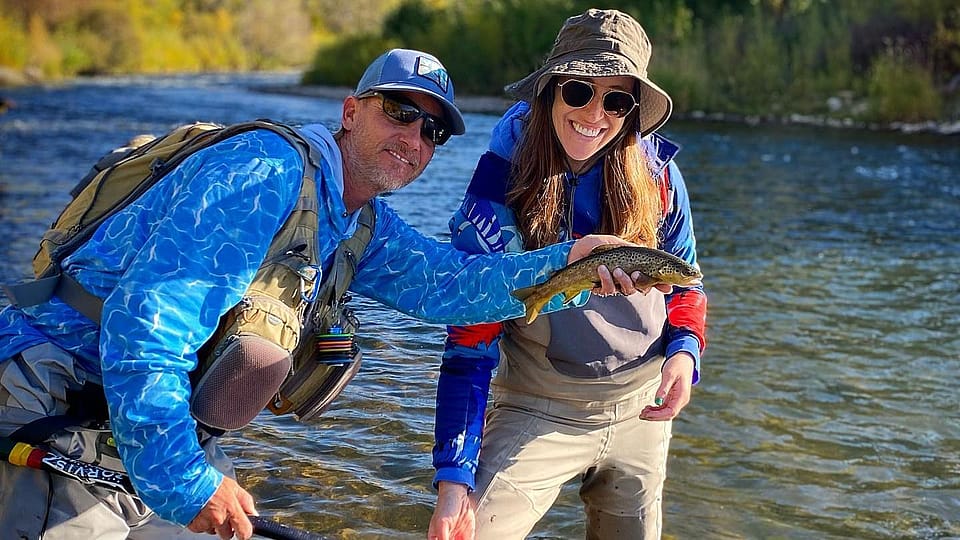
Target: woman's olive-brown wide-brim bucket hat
x,y
602,43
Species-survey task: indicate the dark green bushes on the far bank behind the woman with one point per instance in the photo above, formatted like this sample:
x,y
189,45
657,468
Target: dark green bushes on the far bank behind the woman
x,y
761,58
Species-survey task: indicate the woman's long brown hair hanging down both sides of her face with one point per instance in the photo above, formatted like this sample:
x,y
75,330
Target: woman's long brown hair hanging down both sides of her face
x,y
631,206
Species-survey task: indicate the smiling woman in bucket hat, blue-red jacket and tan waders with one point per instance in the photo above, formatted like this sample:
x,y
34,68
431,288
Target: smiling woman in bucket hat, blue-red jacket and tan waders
x,y
588,393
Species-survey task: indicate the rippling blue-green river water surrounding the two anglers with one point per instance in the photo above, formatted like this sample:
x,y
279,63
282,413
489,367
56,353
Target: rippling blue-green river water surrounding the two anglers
x,y
828,406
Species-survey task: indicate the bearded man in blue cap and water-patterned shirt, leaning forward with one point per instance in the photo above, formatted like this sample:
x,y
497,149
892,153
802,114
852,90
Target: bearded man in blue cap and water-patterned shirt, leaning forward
x,y
170,264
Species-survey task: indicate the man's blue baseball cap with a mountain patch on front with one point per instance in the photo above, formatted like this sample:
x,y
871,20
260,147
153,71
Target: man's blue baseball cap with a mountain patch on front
x,y
412,71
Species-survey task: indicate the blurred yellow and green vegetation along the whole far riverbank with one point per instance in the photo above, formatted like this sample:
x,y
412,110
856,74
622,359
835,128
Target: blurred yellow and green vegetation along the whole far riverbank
x,y
869,60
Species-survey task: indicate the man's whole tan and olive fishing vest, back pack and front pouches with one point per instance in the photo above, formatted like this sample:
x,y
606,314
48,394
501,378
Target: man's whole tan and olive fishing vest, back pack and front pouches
x,y
288,345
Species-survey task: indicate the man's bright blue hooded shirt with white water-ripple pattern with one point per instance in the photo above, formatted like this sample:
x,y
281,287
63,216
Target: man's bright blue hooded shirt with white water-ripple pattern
x,y
169,265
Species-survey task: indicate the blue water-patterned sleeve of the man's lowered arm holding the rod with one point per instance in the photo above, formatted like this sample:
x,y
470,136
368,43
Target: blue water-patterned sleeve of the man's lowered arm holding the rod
x,y
199,237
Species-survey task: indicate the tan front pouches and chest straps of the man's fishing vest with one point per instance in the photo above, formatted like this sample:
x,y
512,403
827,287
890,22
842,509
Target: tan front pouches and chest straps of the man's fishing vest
x,y
288,358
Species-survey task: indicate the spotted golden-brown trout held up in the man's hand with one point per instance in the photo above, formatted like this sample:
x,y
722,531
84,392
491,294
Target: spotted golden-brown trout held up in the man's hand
x,y
656,266
